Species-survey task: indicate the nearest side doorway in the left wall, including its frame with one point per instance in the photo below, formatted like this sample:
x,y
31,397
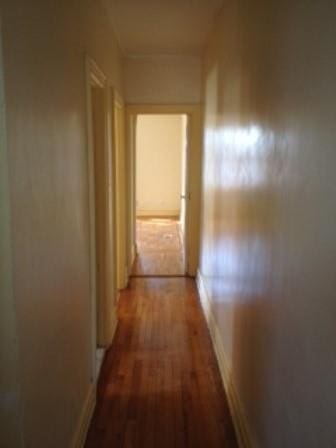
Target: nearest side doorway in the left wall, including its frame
x,y
101,214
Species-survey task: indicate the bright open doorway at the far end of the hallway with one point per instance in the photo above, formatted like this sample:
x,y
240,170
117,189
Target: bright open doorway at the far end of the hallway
x,y
160,192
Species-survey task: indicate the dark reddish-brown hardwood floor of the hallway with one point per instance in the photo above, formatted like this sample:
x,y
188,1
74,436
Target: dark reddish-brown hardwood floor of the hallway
x,y
160,385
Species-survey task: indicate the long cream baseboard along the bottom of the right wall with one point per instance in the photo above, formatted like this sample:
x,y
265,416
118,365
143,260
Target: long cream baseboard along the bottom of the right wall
x,y
244,436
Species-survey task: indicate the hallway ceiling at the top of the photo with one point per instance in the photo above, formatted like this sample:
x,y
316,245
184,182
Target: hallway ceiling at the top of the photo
x,y
146,27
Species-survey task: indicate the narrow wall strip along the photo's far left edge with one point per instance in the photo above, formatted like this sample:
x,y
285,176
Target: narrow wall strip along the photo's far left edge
x,y
10,411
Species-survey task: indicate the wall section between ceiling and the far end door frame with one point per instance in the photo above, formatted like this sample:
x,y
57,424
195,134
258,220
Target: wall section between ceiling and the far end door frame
x,y
162,79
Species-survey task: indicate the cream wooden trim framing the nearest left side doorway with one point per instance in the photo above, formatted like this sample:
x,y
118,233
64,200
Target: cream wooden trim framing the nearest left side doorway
x,y
101,307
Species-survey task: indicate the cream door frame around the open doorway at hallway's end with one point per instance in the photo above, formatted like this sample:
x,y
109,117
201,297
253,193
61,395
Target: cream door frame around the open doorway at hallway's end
x,y
193,175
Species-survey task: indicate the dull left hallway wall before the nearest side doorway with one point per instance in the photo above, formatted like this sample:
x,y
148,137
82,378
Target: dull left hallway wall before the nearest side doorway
x,y
44,46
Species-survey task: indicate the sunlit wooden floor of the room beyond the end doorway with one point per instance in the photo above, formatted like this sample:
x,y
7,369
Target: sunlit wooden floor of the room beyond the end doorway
x,y
160,248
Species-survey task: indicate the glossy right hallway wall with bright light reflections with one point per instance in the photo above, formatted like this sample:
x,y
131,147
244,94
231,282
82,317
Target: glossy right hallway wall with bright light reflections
x,y
269,213
